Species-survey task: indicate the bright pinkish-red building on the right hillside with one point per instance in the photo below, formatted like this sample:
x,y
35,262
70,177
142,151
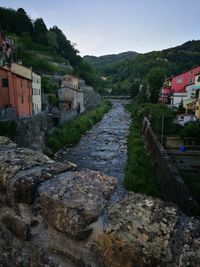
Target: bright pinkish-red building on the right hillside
x,y
178,83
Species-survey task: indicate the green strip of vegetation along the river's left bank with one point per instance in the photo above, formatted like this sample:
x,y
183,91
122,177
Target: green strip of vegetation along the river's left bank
x,y
71,132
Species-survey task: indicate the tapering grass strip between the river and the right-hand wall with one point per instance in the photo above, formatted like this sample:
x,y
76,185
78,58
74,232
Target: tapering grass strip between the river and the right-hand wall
x,y
139,174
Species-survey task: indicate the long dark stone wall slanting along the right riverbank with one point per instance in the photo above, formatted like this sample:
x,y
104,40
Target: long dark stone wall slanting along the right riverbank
x,y
170,182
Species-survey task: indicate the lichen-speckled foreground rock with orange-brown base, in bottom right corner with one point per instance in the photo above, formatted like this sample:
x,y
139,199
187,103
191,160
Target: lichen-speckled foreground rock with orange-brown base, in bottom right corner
x,y
143,231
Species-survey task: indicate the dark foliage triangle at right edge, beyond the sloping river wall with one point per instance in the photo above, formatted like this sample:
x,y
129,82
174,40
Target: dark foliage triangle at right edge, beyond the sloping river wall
x,y
193,183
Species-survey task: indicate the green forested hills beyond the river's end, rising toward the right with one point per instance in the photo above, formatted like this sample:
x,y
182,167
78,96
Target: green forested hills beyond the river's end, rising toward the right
x,y
126,76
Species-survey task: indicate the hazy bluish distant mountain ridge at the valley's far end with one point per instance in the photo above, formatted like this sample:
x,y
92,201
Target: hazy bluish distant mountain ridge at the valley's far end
x,y
102,61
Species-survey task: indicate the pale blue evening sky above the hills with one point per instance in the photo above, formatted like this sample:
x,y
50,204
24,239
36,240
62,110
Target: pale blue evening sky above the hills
x,y
101,27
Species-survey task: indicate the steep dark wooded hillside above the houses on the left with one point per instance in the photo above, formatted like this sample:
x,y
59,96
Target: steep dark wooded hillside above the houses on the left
x,y
45,50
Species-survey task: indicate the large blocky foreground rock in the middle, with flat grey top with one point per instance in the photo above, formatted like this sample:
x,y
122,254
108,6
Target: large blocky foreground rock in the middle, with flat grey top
x,y
72,201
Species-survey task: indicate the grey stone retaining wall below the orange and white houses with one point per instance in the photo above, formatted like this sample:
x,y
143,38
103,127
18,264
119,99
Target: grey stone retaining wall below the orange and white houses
x,y
30,131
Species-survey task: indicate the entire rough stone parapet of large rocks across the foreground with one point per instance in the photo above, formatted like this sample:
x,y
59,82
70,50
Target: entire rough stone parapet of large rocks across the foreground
x,y
53,215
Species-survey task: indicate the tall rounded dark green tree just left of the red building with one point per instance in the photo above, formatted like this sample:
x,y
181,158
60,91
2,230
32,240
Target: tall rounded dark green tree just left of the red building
x,y
155,79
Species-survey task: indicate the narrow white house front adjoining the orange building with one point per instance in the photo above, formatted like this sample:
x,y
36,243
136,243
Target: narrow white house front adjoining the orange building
x,y
36,93
